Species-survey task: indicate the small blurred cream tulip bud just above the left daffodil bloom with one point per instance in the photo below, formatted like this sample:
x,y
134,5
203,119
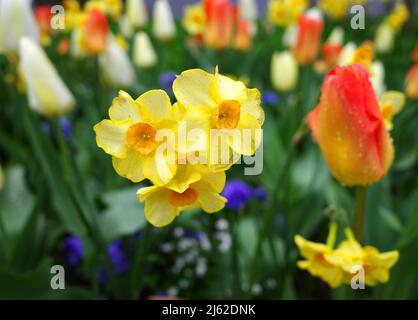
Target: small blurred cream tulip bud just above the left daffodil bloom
x,y
144,55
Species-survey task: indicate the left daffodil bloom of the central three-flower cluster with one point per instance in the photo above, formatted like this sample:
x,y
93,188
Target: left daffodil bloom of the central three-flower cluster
x,y
133,138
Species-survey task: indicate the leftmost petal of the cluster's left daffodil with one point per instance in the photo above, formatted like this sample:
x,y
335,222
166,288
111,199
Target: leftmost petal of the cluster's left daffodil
x,y
110,136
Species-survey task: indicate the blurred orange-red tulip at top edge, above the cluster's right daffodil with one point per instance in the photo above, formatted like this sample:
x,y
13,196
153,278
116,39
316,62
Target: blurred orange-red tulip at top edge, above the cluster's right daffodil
x,y
219,23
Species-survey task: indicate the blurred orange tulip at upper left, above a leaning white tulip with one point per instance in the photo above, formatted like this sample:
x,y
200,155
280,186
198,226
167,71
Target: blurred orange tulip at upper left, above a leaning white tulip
x,y
95,32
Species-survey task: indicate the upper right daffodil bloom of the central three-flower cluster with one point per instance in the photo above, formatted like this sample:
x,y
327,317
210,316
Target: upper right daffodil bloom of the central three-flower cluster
x,y
224,105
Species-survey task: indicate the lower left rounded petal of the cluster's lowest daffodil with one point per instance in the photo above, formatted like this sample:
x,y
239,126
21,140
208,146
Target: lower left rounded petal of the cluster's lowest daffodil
x,y
158,210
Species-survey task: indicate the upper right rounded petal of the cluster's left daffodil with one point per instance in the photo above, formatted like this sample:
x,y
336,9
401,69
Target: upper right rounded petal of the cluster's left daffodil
x,y
155,105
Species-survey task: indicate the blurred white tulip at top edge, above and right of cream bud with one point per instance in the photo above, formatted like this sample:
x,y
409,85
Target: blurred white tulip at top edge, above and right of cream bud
x,y
163,25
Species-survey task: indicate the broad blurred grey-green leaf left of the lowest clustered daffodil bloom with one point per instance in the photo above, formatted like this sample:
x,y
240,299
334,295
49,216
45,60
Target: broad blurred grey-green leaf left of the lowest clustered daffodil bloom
x,y
124,215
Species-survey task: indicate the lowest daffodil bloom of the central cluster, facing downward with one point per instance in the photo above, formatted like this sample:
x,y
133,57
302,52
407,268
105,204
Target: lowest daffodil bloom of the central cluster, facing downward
x,y
190,188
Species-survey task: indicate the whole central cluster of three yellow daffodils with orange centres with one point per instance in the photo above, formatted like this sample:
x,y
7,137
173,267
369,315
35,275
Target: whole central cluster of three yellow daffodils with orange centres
x,y
173,145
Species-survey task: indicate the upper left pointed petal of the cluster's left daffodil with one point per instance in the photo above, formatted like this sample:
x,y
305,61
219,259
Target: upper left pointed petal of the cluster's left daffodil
x,y
124,108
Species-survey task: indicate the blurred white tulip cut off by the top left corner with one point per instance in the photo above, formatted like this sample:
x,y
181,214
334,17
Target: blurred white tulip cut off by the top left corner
x,y
16,21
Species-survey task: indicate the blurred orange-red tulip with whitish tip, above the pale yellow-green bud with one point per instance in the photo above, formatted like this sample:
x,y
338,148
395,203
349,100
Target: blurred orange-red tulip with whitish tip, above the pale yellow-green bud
x,y
308,40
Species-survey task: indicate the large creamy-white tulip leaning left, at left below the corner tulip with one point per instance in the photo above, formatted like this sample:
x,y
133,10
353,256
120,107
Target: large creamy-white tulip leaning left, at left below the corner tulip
x,y
47,93
